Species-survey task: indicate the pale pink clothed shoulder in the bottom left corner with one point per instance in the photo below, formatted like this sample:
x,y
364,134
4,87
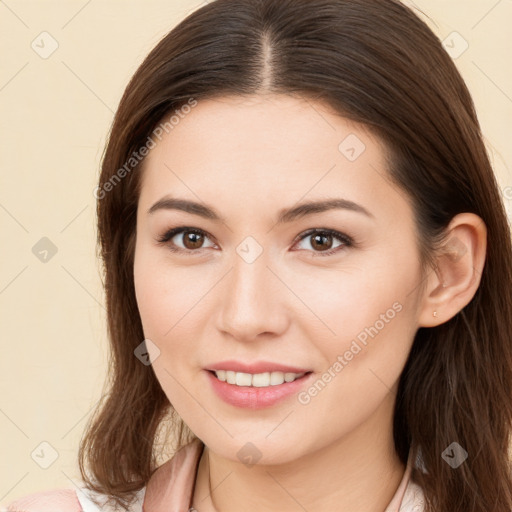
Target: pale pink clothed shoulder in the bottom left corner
x,y
58,500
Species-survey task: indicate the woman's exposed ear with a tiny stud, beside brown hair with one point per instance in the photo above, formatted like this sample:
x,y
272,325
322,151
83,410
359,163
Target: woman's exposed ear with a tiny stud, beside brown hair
x,y
454,281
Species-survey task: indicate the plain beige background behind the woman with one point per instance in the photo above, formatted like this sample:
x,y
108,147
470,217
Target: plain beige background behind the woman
x,y
55,114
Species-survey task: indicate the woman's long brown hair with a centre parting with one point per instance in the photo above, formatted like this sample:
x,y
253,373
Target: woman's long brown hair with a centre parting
x,y
376,63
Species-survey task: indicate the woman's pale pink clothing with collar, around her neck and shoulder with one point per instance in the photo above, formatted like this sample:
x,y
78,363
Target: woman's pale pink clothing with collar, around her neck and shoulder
x,y
171,488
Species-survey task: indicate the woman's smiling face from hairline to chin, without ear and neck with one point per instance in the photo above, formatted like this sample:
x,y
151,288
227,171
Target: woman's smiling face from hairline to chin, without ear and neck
x,y
245,281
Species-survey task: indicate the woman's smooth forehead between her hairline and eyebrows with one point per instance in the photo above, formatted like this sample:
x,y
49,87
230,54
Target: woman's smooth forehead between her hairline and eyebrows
x,y
258,151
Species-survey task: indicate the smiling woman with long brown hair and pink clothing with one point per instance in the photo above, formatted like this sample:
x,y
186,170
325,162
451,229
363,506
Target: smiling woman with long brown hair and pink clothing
x,y
307,269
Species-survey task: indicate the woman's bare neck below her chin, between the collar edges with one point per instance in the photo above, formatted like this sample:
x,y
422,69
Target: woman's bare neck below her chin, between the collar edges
x,y
360,471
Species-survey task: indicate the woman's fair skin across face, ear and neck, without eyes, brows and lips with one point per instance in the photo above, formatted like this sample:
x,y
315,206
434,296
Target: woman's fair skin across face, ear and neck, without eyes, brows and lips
x,y
248,158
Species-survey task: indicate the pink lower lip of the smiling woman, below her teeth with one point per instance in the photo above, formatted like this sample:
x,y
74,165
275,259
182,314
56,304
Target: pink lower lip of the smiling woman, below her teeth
x,y
255,397
